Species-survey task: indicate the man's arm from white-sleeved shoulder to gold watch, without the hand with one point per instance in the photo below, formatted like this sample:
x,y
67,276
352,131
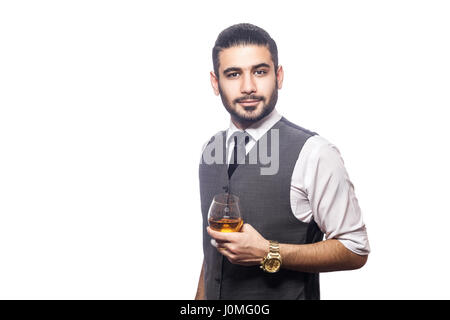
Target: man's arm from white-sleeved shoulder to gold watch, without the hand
x,y
321,190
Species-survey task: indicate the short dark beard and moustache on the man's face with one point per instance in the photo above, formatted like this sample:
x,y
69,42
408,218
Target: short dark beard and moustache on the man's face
x,y
246,116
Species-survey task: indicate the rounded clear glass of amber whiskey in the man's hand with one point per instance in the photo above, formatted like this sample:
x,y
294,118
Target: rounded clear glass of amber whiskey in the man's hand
x,y
224,214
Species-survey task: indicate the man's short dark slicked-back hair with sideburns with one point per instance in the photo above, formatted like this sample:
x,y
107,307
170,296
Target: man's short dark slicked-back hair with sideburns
x,y
243,34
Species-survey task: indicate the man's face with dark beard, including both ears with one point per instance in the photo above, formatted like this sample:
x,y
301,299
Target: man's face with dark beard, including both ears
x,y
247,82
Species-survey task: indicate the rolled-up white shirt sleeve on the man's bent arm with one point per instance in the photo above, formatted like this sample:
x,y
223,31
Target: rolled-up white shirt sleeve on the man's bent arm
x,y
332,197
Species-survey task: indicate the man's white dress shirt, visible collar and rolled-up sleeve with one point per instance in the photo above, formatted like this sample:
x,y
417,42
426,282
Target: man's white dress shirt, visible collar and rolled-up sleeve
x,y
320,187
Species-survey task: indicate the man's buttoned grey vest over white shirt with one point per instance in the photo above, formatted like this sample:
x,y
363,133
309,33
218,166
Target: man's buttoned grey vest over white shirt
x,y
265,204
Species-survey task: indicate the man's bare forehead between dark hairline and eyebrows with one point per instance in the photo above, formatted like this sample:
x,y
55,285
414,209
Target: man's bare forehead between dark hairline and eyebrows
x,y
244,56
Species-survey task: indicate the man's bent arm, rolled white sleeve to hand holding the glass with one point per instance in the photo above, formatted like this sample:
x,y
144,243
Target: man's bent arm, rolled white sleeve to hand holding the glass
x,y
321,178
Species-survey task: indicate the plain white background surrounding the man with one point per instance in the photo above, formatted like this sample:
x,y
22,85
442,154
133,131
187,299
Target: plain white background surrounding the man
x,y
105,105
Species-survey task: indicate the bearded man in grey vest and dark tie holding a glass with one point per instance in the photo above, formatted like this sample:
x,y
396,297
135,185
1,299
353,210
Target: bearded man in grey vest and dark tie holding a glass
x,y
302,217
